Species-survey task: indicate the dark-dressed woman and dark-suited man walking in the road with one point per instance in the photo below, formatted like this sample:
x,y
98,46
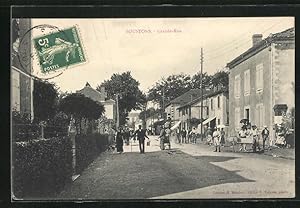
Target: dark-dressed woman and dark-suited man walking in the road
x,y
124,135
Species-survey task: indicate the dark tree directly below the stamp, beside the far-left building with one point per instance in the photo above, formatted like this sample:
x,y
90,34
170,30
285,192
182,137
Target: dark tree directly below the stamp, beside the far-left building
x,y
45,97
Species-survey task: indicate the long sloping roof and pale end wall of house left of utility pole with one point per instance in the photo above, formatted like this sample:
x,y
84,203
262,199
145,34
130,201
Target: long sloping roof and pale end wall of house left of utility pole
x,y
171,108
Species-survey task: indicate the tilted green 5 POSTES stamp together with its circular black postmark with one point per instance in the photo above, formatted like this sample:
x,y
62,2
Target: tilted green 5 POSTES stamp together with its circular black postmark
x,y
45,51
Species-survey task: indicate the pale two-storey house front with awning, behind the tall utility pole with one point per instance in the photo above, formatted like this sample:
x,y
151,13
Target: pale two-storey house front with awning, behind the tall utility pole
x,y
215,110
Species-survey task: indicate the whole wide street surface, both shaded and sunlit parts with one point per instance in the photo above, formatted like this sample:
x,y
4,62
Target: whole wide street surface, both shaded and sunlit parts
x,y
186,171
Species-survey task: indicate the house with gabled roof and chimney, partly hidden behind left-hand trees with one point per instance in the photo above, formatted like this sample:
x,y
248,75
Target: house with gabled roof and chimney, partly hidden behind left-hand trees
x,y
110,114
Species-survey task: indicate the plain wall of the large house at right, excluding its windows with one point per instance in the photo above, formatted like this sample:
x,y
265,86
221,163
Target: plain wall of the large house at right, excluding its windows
x,y
254,98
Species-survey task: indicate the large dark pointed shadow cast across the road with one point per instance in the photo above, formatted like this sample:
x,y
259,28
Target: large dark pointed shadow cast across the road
x,y
136,176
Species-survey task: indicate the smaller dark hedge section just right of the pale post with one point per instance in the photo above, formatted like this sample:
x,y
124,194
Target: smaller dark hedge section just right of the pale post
x,y
88,147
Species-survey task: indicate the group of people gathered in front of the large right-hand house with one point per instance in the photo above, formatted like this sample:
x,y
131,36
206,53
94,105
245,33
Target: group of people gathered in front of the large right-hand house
x,y
251,131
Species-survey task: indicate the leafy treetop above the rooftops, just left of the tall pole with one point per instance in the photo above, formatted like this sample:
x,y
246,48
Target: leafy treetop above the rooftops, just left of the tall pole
x,y
173,86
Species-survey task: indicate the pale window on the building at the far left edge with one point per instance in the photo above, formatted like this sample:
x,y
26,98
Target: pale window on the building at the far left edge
x,y
15,90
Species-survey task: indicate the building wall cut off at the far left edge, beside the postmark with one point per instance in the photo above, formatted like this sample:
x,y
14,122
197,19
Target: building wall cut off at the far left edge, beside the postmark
x,y
21,79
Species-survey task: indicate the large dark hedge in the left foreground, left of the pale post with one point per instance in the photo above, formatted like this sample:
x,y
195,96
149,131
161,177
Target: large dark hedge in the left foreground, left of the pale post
x,y
41,167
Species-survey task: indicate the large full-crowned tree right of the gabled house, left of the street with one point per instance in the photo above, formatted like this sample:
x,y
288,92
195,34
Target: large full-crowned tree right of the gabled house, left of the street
x,y
127,88
